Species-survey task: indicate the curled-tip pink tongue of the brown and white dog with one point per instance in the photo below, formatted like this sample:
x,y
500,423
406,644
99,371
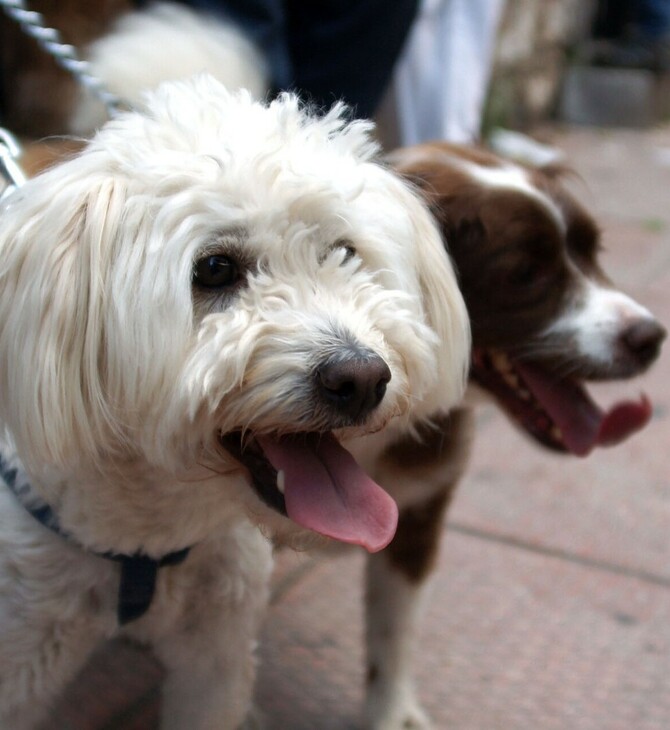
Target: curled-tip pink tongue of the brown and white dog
x,y
583,424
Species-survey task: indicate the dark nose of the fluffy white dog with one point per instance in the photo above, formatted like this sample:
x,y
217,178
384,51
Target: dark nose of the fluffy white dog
x,y
353,382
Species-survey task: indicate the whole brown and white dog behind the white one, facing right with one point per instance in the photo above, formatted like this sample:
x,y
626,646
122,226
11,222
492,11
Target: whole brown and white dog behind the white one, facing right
x,y
545,319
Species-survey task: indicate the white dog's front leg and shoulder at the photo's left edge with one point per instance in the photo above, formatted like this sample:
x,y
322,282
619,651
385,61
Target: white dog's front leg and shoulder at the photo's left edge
x,y
56,607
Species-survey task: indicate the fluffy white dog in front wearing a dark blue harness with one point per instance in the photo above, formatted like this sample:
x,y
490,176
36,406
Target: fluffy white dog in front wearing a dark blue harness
x,y
188,309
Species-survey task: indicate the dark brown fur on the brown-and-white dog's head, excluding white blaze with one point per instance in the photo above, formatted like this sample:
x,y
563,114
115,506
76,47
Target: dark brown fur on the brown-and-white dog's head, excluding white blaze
x,y
510,253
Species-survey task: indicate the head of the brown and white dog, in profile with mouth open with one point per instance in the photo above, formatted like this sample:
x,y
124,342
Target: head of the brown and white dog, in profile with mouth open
x,y
544,315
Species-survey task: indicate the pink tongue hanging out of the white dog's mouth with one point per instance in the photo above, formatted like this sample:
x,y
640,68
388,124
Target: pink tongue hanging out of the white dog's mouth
x,y
326,491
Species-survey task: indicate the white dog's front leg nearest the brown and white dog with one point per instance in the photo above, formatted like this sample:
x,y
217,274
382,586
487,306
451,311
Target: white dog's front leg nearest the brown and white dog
x,y
209,656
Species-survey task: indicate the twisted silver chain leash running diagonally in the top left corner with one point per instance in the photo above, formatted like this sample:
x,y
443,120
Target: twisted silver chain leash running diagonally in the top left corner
x,y
34,24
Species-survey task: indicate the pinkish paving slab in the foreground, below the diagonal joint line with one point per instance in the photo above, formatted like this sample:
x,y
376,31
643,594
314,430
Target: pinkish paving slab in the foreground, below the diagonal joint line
x,y
512,639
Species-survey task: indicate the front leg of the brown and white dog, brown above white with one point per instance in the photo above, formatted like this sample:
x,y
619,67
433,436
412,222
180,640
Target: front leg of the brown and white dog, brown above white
x,y
398,577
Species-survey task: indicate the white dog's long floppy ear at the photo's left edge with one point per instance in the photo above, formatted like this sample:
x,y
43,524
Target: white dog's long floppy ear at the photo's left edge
x,y
55,243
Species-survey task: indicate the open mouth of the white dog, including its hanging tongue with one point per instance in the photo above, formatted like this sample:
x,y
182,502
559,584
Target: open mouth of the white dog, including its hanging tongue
x,y
313,480
